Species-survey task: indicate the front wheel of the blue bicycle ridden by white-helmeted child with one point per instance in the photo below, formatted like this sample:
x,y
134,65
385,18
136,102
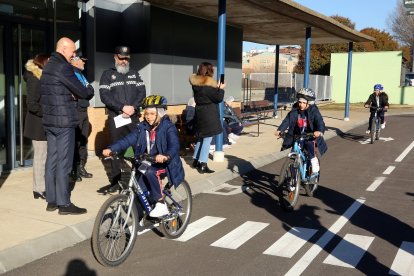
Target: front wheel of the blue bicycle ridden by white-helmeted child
x,y
289,183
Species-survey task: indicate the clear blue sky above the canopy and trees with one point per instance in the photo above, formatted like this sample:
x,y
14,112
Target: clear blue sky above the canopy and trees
x,y
364,13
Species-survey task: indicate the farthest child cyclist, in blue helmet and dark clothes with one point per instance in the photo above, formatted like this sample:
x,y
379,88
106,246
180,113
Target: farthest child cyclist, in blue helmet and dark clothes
x,y
377,99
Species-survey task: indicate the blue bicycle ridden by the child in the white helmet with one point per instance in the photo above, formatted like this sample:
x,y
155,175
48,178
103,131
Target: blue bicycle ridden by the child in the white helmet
x,y
296,172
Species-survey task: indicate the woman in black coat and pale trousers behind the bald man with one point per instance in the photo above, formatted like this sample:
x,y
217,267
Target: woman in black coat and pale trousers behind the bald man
x,y
33,127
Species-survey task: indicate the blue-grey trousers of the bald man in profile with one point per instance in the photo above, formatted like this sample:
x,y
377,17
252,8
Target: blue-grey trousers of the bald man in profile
x,y
60,149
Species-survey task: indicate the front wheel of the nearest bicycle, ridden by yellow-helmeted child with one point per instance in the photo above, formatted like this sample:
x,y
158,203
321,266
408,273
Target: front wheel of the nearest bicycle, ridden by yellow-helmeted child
x,y
114,232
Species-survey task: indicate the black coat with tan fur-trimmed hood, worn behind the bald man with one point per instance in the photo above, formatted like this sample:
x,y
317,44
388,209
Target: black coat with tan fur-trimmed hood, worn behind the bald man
x,y
33,127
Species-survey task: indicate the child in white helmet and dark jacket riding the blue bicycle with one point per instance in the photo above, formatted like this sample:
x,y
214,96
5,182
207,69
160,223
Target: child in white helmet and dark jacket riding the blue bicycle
x,y
305,118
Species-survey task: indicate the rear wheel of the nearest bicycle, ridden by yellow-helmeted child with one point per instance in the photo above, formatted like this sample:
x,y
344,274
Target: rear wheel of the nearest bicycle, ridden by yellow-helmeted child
x,y
180,202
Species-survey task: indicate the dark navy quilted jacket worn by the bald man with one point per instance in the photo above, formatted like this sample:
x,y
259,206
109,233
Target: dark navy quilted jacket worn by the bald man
x,y
60,89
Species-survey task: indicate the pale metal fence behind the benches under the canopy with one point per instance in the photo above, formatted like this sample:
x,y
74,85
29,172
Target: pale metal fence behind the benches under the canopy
x,y
261,86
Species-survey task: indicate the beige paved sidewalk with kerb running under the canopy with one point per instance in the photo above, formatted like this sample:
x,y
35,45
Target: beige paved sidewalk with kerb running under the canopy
x,y
28,232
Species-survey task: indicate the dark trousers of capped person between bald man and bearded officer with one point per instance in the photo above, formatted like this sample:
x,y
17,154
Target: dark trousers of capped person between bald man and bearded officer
x,y
82,133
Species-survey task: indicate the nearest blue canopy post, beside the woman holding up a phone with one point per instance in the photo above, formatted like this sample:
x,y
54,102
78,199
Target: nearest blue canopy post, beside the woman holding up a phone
x,y
221,51
